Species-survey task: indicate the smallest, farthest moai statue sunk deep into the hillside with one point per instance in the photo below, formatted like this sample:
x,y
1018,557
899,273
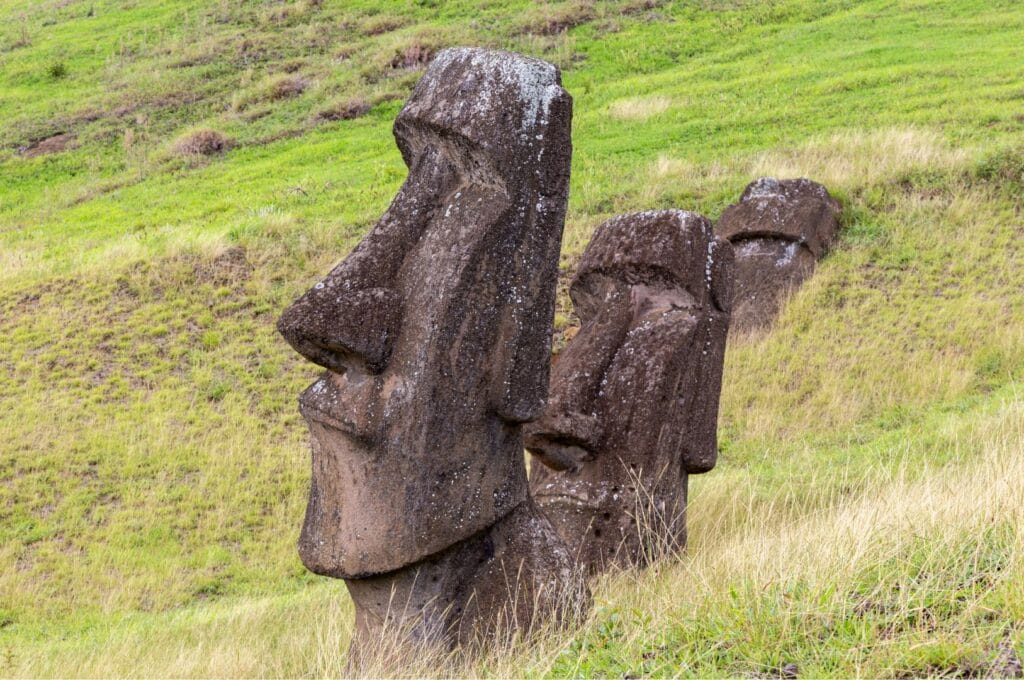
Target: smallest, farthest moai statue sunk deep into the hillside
x,y
779,231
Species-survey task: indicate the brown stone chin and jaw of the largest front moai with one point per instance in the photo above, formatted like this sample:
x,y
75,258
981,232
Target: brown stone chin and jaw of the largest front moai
x,y
364,520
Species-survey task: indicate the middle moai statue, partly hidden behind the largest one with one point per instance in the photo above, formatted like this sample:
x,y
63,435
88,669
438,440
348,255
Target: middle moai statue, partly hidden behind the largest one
x,y
634,396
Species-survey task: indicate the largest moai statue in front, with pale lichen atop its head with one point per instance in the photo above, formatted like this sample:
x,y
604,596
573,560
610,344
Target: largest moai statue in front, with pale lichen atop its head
x,y
436,333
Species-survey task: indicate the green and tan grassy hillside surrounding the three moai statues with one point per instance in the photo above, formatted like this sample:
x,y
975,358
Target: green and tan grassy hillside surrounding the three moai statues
x,y
867,517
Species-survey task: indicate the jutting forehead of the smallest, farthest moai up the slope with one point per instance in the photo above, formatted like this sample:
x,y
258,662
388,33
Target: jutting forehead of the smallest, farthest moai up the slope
x,y
794,210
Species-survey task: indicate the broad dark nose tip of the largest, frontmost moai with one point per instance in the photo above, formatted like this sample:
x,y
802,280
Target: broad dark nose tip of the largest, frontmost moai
x,y
339,329
